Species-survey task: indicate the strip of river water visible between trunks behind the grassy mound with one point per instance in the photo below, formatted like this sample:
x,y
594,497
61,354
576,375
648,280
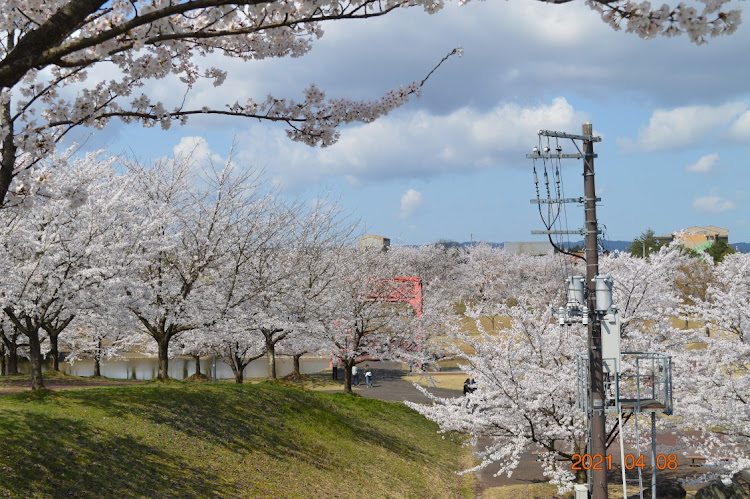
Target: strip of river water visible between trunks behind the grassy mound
x,y
148,368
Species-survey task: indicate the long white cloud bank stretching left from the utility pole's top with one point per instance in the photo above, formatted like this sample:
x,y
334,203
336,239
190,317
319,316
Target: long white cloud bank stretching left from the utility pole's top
x,y
413,144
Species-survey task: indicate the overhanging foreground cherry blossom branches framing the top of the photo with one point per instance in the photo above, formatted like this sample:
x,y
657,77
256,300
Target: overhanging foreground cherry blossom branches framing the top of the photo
x,y
51,48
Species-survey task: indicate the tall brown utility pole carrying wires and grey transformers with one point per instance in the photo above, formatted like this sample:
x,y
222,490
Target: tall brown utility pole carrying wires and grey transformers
x,y
596,371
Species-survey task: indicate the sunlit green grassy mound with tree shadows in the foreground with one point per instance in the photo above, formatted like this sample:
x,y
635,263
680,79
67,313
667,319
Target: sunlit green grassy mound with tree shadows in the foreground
x,y
221,440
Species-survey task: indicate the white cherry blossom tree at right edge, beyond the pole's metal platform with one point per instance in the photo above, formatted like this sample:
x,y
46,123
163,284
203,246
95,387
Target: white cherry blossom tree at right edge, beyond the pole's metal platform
x,y
715,369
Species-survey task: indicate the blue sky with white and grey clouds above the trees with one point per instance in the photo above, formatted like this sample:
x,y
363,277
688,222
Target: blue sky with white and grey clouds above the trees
x,y
674,118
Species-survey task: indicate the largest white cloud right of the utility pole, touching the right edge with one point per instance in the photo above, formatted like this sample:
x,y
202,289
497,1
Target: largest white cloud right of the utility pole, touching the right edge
x,y
682,127
